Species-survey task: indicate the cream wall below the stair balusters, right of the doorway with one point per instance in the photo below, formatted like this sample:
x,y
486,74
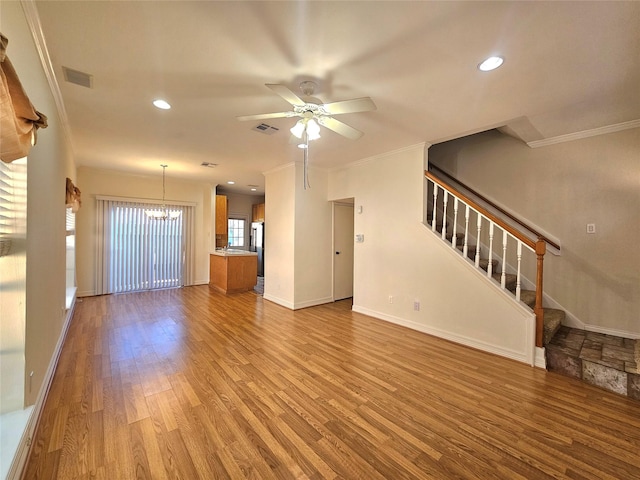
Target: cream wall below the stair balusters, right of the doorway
x,y
402,259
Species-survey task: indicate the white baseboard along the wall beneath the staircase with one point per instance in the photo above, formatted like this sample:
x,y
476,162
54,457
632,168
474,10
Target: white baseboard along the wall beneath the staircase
x,y
446,335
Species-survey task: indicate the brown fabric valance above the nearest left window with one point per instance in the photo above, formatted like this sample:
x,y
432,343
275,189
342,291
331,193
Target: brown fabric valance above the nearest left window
x,y
19,120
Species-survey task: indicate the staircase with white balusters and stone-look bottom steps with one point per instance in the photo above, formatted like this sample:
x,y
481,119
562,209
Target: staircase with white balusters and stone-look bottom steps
x,y
606,361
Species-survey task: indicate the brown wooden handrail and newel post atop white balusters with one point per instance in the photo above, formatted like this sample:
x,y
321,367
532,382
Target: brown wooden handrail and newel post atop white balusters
x,y
539,246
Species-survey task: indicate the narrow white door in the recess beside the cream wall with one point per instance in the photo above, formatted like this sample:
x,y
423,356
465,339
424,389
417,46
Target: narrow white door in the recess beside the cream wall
x,y
343,249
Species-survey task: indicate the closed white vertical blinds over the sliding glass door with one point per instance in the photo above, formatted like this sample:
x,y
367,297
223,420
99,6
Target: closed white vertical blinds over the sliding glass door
x,y
136,252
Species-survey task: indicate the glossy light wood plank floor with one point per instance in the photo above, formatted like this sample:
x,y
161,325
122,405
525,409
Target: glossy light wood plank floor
x,y
190,384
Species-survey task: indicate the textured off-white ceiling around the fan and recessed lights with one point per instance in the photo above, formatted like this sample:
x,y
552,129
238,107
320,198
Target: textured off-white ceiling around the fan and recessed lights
x,y
569,67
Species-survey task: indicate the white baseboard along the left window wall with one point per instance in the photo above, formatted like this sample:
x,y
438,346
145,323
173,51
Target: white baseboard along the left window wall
x,y
24,447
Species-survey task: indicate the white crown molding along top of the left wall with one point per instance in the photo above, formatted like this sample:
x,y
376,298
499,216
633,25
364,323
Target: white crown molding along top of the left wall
x,y
35,26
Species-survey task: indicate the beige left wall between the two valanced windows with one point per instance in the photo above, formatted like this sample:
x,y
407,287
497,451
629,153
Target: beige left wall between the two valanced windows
x,y
49,163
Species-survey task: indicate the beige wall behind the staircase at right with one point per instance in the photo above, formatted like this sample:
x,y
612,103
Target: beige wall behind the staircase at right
x,y
561,188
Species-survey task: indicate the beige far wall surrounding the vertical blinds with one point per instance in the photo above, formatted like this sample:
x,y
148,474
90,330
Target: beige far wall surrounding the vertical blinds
x,y
94,182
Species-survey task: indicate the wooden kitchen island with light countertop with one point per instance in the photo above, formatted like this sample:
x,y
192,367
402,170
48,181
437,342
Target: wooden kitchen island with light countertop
x,y
233,271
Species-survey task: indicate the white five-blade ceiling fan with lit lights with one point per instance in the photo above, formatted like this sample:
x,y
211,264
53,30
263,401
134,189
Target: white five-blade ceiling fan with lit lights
x,y
313,112
